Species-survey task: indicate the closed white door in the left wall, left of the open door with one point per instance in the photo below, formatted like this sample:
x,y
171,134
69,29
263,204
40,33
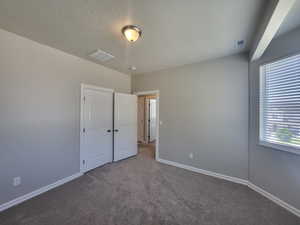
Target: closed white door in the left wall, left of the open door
x,y
96,125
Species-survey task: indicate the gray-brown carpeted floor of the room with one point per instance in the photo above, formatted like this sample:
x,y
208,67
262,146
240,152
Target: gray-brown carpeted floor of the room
x,y
140,191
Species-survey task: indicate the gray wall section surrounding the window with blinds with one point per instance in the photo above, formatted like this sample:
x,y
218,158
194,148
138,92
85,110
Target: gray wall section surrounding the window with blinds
x,y
275,171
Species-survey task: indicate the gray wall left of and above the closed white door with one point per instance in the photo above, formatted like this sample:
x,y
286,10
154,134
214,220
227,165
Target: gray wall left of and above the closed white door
x,y
39,112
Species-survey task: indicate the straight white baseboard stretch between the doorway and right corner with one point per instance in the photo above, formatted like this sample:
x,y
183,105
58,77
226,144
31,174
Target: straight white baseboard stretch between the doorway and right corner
x,y
205,172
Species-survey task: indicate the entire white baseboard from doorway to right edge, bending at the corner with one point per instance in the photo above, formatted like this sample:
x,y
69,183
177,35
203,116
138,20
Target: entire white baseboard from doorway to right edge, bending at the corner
x,y
252,186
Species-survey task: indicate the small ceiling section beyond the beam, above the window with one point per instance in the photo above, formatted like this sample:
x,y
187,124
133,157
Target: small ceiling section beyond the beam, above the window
x,y
292,21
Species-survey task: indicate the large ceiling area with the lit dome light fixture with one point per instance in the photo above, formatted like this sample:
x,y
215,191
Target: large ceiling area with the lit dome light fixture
x,y
175,32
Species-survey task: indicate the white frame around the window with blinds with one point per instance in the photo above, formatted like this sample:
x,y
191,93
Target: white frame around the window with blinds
x,y
261,141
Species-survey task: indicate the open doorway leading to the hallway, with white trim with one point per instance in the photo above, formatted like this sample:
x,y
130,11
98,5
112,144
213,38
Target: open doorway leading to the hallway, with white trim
x,y
148,122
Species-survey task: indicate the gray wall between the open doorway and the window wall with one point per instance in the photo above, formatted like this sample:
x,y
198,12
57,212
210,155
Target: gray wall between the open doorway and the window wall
x,y
204,110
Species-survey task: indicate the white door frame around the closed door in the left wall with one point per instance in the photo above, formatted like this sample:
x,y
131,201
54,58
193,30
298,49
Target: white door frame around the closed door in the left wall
x,y
83,87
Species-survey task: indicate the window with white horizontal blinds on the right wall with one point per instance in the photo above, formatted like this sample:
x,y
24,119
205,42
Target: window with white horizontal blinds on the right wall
x,y
280,104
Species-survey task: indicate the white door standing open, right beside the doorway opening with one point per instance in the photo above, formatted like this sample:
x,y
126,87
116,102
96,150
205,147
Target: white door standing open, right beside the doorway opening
x,y
125,126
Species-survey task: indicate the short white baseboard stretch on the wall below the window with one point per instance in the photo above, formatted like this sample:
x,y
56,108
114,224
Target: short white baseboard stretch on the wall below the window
x,y
275,199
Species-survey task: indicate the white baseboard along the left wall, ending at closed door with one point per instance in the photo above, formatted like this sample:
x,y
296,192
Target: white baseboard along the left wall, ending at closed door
x,y
37,192
